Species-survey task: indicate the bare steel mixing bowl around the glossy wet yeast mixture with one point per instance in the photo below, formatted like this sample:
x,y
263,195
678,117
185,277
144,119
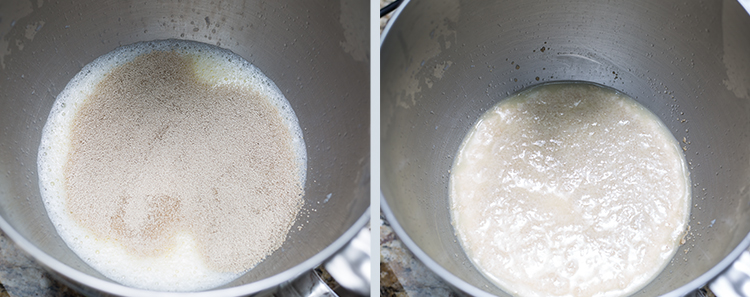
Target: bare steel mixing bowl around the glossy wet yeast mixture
x,y
445,62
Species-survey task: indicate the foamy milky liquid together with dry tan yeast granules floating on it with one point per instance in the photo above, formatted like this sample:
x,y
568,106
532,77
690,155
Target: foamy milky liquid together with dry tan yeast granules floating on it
x,y
172,165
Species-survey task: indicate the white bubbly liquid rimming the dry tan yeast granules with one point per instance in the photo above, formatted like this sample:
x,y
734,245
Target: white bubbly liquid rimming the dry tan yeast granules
x,y
182,264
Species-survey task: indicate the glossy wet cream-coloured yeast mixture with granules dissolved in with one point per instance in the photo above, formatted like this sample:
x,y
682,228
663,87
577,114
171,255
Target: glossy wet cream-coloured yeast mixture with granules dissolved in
x,y
569,189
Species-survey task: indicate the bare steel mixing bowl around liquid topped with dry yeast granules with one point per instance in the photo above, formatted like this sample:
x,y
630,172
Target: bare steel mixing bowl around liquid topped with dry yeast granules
x,y
315,51
